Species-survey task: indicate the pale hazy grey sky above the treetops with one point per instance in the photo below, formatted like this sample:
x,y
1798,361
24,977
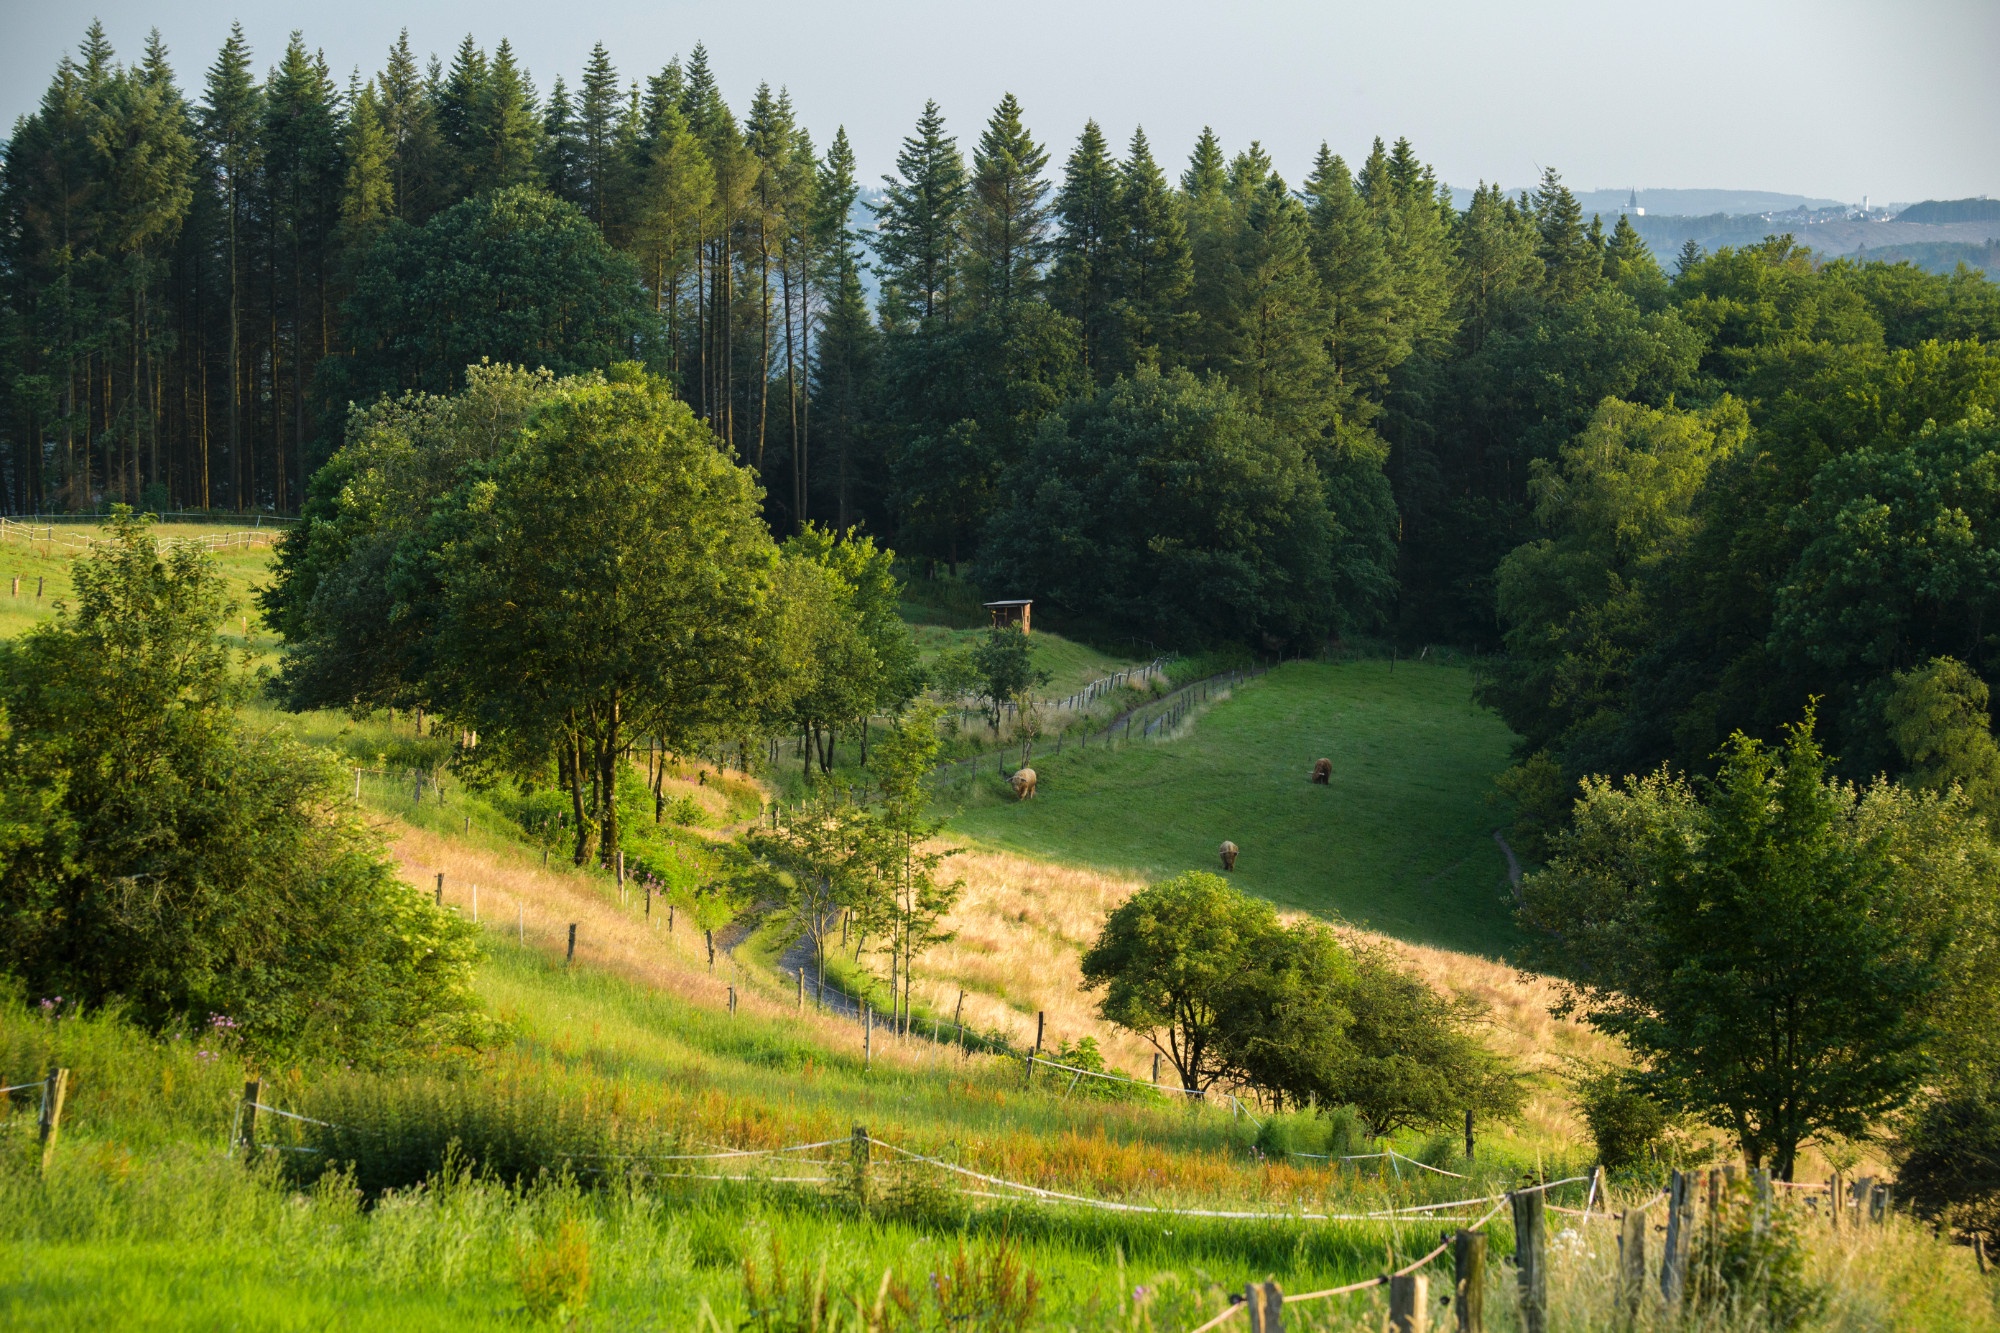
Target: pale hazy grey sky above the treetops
x,y
1837,99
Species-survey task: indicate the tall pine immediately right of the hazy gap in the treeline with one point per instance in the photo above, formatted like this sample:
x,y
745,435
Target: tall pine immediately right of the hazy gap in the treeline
x,y
919,223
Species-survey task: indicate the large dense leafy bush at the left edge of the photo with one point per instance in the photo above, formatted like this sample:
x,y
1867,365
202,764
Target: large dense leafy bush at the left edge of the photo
x,y
159,858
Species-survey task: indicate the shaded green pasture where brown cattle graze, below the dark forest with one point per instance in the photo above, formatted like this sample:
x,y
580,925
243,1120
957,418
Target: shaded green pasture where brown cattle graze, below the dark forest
x,y
1399,842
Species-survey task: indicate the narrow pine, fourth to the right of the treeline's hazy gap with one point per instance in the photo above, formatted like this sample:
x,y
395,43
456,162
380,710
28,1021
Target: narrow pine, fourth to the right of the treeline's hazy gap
x,y
1153,267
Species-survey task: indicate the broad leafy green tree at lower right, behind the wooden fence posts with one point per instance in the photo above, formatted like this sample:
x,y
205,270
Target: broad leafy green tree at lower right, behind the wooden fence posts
x,y
1757,942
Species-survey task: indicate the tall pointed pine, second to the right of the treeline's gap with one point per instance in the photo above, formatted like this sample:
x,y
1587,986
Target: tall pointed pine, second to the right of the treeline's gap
x,y
1007,213
